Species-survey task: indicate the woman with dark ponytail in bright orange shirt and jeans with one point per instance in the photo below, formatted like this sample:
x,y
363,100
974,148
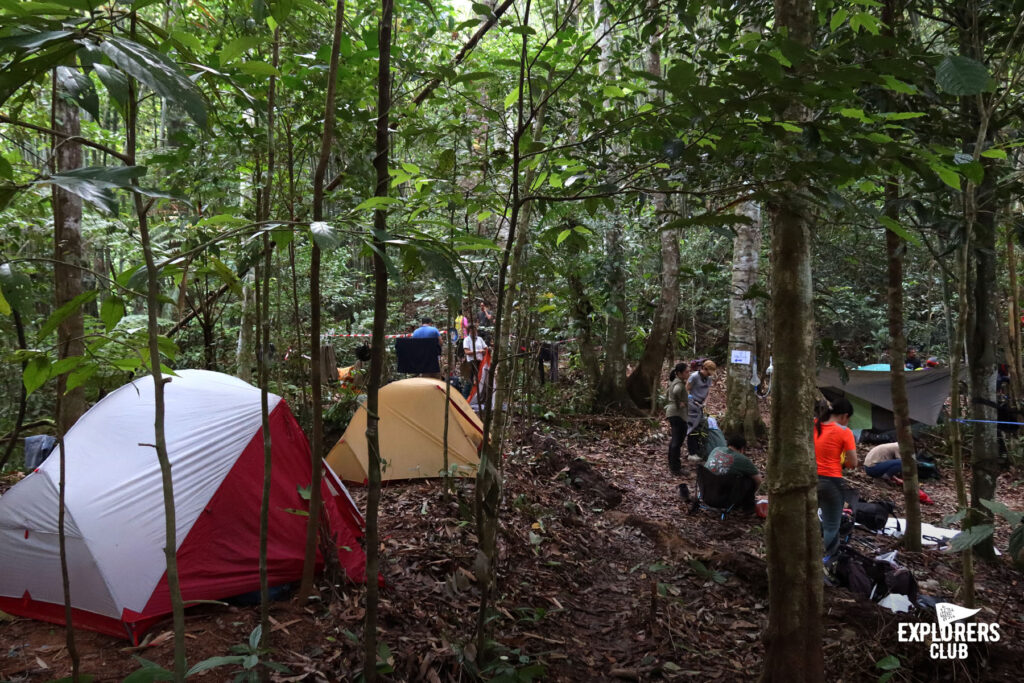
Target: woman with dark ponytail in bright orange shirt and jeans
x,y
835,449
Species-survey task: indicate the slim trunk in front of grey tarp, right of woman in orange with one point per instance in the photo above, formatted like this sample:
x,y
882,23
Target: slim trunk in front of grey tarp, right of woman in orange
x,y
895,249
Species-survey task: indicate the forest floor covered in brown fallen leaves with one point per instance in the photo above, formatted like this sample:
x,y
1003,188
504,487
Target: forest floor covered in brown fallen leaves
x,y
604,576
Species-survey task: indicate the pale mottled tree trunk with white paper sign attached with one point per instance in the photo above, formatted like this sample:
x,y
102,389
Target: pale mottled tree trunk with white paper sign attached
x,y
743,414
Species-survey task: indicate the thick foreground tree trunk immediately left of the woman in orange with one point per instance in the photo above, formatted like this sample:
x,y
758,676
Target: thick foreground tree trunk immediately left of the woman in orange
x,y
793,535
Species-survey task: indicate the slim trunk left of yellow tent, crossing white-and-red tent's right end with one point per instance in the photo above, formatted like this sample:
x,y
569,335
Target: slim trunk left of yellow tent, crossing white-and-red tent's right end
x,y
317,446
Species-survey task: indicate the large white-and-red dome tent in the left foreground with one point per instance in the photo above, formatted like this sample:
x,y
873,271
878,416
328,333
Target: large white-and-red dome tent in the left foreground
x,y
115,517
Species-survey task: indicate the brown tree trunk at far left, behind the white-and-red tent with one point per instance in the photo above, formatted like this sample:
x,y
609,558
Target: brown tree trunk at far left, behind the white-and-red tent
x,y
68,260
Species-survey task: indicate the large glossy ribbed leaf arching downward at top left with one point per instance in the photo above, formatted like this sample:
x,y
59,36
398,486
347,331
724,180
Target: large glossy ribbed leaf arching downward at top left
x,y
157,73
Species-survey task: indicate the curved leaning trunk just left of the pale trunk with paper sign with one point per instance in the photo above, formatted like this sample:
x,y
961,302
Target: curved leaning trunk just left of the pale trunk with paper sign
x,y
648,372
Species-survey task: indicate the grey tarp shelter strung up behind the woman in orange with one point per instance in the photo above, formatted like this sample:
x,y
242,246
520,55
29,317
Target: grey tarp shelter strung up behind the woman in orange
x,y
871,394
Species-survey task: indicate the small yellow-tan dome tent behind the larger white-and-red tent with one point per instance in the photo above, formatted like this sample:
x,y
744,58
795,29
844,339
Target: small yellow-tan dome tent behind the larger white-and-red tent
x,y
412,433
